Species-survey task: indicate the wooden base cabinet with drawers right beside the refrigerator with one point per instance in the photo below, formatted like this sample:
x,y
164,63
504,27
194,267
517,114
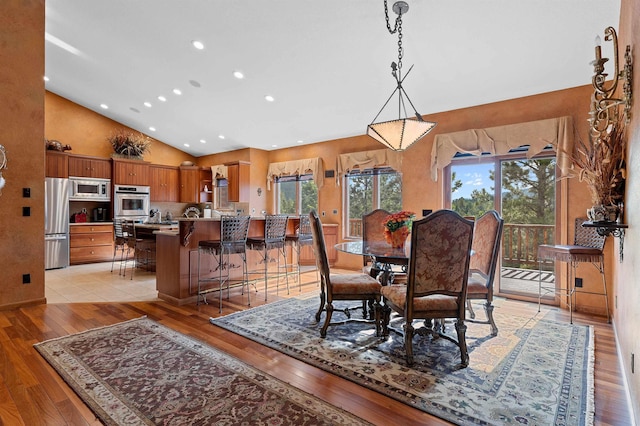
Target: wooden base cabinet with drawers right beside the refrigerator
x,y
90,243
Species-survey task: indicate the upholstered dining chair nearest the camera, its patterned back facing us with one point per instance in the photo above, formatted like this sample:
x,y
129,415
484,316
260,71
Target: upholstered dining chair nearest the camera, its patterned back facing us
x,y
437,279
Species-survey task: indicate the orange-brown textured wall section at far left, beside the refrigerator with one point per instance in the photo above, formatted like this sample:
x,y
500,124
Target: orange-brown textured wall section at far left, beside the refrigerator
x,y
21,133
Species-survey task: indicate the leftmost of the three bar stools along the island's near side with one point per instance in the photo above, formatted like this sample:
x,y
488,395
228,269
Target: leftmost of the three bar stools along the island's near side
x,y
233,240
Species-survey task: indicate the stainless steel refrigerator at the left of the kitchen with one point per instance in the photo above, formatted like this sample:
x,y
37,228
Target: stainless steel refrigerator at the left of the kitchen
x,y
56,223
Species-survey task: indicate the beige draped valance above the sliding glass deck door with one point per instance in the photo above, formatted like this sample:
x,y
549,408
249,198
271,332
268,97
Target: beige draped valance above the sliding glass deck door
x,y
499,140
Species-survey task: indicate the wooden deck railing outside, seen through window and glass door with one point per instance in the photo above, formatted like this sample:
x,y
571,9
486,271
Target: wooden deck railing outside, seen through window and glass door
x,y
519,242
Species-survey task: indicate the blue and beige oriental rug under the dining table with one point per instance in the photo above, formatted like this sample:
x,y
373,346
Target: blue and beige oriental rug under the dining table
x,y
535,372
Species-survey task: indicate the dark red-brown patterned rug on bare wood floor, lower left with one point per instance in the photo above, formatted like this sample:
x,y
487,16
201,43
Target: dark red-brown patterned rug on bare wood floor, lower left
x,y
142,373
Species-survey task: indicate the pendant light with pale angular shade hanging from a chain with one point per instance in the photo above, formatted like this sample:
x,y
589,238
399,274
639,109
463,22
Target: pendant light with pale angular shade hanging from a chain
x,y
399,134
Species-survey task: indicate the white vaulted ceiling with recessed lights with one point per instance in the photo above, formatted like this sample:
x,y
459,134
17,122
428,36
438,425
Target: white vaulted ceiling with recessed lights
x,y
325,63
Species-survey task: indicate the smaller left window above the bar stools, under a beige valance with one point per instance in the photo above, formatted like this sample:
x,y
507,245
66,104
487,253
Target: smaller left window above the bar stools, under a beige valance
x,y
296,195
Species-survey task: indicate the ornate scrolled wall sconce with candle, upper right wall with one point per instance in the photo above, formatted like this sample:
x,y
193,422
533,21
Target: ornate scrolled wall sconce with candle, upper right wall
x,y
604,106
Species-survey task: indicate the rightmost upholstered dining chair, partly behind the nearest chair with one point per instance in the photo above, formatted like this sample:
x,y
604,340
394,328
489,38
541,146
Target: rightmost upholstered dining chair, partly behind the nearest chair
x,y
487,236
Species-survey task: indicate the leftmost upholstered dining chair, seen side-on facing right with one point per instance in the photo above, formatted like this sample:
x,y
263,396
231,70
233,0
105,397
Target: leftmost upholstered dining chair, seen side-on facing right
x,y
333,287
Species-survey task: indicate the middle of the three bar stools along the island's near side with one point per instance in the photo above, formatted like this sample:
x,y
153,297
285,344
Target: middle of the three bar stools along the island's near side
x,y
275,230
